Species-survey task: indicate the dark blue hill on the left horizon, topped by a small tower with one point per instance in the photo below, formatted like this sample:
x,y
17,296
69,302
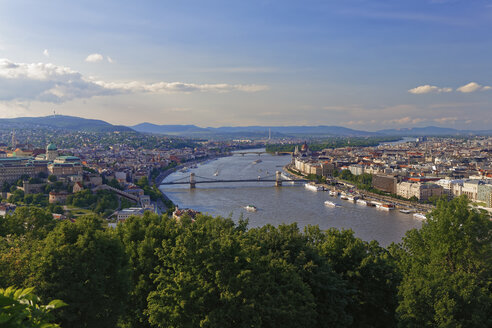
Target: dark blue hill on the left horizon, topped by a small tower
x,y
61,122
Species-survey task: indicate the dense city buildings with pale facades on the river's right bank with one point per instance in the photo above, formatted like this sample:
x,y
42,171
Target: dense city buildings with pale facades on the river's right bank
x,y
420,169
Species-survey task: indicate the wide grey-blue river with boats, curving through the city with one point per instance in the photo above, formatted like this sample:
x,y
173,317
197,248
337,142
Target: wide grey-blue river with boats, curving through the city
x,y
286,204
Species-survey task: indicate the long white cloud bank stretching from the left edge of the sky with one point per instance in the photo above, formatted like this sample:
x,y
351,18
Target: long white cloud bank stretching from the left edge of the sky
x,y
52,83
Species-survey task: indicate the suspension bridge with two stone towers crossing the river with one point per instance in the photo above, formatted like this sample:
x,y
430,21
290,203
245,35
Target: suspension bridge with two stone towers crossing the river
x,y
192,180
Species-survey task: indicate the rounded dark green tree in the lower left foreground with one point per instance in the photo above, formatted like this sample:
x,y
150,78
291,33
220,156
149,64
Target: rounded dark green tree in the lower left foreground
x,y
86,267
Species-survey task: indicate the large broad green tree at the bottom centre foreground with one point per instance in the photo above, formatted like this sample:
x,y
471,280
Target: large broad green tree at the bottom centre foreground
x,y
214,275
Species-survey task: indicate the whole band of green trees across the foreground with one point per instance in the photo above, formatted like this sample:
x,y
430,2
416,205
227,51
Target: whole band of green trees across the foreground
x,y
154,271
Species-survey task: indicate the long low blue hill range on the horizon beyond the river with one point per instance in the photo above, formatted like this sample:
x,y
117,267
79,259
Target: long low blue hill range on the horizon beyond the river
x,y
187,130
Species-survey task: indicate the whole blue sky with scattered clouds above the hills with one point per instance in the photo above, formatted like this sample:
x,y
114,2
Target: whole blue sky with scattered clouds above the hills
x,y
363,64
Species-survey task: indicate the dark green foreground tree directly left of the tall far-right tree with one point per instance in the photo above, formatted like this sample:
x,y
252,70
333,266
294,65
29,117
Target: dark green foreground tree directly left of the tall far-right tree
x,y
370,272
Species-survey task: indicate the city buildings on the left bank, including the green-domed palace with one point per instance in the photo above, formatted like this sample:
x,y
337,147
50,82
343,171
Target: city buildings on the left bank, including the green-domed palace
x,y
90,164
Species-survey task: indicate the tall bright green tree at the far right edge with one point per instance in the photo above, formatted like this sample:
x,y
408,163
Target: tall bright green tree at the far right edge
x,y
447,270
